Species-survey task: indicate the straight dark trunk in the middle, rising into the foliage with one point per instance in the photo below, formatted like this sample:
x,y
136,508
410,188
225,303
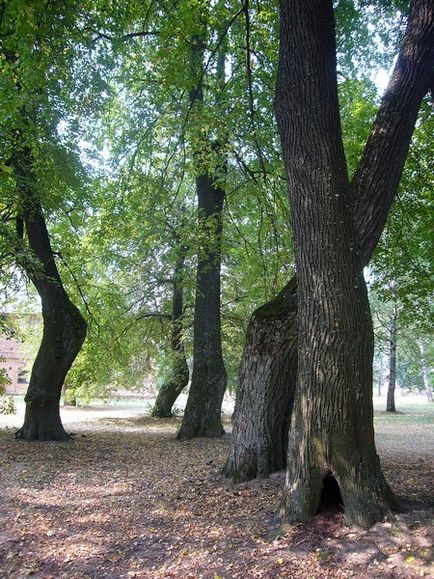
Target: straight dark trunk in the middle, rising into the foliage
x,y
202,416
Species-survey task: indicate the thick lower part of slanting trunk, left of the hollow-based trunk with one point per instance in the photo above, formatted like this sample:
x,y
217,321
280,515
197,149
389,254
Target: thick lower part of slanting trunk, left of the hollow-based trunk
x,y
264,403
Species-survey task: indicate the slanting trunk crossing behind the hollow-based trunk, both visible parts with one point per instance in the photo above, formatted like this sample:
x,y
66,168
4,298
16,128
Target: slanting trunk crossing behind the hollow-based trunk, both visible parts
x,y
383,158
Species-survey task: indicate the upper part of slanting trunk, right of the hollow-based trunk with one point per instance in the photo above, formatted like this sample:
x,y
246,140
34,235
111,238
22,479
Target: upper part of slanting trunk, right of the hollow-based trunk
x,y
377,177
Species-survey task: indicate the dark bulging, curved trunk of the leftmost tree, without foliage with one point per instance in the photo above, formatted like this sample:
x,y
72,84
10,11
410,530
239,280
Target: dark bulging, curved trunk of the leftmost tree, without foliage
x,y
64,328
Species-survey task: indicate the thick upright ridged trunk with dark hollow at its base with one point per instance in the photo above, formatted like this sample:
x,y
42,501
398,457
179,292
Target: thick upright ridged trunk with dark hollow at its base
x,y
331,431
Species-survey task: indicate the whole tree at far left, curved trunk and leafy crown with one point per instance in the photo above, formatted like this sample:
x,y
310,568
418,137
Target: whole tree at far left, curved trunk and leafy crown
x,y
39,171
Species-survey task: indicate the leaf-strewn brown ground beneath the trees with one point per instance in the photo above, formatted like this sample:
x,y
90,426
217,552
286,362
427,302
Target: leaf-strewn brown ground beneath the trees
x,y
125,499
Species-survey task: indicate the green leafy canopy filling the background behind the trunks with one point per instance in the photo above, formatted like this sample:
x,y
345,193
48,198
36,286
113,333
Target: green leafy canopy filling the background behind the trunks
x,y
102,94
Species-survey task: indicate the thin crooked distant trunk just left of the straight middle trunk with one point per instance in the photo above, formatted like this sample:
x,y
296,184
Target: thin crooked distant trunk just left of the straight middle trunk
x,y
179,375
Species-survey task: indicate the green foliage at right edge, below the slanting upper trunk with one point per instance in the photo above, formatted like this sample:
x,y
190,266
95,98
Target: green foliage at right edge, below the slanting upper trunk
x,y
404,254
